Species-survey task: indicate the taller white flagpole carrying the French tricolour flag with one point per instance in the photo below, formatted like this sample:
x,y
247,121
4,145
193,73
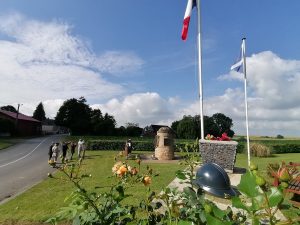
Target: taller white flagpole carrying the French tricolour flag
x,y
200,70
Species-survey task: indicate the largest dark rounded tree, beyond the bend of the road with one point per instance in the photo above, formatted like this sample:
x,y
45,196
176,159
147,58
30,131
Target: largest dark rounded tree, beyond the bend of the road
x,y
75,114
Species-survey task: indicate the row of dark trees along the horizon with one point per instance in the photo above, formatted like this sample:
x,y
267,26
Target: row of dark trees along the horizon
x,y
80,119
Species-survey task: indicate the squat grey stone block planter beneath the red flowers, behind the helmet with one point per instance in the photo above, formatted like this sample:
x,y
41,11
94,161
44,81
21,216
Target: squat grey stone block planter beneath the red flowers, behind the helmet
x,y
222,153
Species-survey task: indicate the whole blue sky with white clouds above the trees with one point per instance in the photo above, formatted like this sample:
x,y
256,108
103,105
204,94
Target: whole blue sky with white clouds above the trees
x,y
127,59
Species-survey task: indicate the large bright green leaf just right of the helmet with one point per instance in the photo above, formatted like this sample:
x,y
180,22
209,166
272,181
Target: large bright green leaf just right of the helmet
x,y
248,185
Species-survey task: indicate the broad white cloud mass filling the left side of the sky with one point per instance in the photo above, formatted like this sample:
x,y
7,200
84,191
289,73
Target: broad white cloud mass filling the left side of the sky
x,y
44,61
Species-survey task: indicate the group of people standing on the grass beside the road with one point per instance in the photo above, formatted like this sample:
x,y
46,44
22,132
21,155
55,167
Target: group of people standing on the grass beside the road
x,y
54,150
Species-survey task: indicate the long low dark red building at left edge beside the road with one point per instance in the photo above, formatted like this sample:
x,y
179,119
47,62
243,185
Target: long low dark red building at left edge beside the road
x,y
25,125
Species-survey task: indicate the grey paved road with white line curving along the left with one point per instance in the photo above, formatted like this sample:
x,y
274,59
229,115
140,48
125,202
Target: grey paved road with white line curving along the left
x,y
23,165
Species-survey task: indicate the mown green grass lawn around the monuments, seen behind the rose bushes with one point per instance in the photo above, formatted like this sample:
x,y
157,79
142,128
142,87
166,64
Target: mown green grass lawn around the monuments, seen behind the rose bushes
x,y
45,199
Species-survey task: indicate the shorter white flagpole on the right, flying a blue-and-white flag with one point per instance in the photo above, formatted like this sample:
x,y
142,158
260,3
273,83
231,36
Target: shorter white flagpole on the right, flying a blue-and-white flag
x,y
246,104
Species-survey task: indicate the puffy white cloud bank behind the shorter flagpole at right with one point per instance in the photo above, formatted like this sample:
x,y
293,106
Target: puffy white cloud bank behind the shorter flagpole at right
x,y
273,102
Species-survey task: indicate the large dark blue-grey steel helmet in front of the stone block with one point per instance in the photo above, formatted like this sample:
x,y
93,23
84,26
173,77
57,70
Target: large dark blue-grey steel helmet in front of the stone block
x,y
213,179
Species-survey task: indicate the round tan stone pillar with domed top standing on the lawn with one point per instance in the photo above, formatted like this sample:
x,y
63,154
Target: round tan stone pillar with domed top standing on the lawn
x,y
164,149
